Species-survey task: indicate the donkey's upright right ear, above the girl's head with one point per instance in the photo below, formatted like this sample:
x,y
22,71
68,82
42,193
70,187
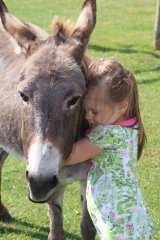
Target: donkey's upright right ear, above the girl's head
x,y
84,27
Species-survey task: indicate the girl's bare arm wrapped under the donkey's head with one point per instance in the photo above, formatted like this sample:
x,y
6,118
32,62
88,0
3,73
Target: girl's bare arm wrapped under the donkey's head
x,y
83,150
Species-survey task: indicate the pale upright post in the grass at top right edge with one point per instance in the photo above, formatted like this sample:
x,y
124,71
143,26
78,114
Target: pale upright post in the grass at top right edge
x,y
157,27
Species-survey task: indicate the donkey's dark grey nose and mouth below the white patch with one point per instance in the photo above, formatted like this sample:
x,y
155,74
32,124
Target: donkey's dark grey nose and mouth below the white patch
x,y
41,189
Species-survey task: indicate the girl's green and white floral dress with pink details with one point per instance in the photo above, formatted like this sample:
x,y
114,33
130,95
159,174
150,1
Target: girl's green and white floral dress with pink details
x,y
114,200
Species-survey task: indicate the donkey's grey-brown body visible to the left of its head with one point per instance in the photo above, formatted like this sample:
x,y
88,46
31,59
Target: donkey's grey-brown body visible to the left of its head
x,y
11,107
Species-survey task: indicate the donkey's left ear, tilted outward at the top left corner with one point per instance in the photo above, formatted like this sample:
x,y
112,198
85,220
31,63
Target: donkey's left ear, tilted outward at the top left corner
x,y
17,29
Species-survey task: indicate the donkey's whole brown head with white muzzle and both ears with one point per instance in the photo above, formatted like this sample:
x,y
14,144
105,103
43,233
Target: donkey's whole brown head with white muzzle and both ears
x,y
51,87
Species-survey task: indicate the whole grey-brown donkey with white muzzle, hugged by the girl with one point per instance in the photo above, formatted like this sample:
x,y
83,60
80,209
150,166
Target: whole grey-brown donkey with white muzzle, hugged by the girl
x,y
42,85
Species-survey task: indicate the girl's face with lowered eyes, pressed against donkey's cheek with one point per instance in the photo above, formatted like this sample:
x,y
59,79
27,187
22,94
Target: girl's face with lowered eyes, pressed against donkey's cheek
x,y
99,111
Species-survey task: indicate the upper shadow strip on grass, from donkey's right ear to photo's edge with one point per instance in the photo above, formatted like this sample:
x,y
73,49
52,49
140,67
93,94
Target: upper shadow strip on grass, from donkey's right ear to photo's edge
x,y
122,49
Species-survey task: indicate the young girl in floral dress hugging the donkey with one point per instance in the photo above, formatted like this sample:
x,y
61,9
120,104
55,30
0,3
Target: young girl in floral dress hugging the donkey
x,y
114,200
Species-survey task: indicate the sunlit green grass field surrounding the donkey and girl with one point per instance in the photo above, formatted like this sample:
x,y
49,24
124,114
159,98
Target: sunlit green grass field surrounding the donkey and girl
x,y
124,31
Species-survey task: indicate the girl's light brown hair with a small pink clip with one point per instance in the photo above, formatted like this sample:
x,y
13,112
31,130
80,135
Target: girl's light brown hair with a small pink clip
x,y
120,85
